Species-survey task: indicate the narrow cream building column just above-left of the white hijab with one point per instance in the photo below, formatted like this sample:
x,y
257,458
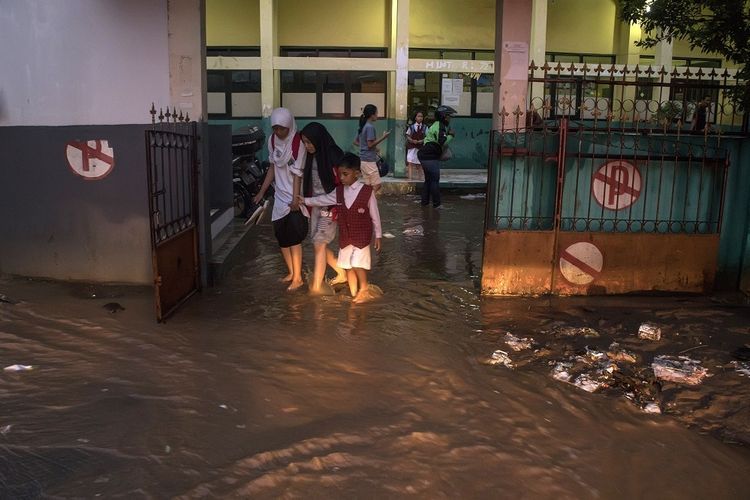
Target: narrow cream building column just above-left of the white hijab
x,y
268,50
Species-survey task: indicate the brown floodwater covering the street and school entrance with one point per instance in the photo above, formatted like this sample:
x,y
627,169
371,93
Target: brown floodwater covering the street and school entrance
x,y
253,392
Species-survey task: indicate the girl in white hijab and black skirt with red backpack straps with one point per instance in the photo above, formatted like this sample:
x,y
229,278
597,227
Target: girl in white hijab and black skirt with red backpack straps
x,y
287,155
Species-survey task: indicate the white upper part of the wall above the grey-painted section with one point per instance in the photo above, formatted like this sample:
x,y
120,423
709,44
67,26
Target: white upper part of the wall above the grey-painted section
x,y
82,62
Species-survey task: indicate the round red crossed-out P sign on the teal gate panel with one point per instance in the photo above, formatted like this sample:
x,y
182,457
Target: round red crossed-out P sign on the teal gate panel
x,y
616,185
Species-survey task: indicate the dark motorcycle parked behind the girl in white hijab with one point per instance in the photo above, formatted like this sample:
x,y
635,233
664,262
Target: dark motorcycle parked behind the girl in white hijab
x,y
249,173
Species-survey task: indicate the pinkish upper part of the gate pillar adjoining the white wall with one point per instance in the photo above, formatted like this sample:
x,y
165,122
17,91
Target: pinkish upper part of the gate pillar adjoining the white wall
x,y
187,57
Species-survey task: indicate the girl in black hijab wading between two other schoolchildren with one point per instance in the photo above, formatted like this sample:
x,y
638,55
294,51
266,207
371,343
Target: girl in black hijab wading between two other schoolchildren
x,y
320,176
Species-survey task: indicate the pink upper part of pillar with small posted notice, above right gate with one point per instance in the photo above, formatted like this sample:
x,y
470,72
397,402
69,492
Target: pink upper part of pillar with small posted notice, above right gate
x,y
512,38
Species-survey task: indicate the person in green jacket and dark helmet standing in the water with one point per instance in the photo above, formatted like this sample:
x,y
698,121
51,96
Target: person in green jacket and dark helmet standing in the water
x,y
436,141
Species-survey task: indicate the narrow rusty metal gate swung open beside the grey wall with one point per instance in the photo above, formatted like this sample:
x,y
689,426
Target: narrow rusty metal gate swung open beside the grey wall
x,y
172,164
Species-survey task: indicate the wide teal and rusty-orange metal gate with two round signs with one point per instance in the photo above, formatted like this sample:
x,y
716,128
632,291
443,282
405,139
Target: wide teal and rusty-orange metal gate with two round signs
x,y
624,198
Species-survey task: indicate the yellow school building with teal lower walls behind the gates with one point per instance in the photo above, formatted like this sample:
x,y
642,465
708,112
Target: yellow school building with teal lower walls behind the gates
x,y
326,60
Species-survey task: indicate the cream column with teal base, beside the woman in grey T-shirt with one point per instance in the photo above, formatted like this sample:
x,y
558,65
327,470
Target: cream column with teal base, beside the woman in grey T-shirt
x,y
400,89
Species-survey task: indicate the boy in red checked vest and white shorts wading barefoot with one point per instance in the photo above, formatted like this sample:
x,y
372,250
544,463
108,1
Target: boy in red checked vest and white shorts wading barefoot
x,y
356,211
